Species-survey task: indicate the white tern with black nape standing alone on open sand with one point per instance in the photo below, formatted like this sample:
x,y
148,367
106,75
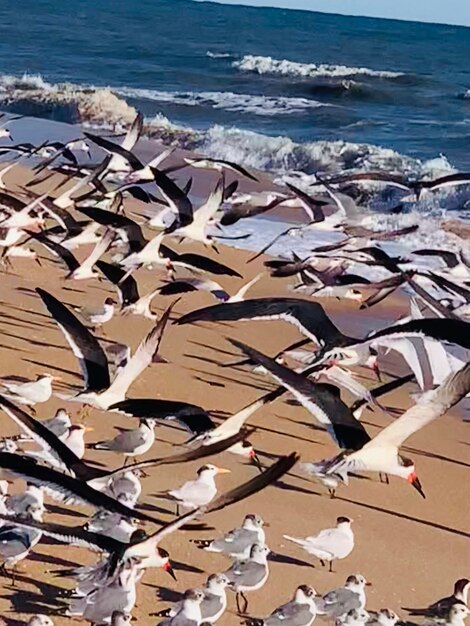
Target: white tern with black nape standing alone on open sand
x,y
330,544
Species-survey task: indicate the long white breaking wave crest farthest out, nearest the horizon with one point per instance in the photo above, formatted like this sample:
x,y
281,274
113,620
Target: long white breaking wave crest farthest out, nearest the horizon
x,y
268,65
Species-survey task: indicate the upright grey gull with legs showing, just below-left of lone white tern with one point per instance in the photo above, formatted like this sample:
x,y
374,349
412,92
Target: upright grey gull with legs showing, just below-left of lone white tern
x,y
249,574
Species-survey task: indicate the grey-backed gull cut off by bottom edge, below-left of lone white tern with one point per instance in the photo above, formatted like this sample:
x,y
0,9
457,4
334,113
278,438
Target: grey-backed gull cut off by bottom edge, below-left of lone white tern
x,y
300,611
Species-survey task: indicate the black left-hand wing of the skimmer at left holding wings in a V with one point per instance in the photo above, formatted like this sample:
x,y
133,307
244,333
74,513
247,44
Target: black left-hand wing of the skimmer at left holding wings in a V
x,y
85,347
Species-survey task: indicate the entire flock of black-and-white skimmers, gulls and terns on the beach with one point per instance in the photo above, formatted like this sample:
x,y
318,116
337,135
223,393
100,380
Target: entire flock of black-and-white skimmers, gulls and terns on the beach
x,y
85,207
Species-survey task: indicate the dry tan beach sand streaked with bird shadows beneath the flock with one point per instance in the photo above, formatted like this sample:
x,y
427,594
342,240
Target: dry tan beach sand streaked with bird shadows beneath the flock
x,y
410,549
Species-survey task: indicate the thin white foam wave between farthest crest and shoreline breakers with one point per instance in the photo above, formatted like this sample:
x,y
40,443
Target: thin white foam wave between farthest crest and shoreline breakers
x,y
226,100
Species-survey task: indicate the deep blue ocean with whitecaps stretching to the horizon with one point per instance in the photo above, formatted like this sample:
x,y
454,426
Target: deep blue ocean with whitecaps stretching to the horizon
x,y
162,46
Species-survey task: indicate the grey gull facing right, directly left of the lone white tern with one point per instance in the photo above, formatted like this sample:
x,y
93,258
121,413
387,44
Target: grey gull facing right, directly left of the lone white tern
x,y
237,542
